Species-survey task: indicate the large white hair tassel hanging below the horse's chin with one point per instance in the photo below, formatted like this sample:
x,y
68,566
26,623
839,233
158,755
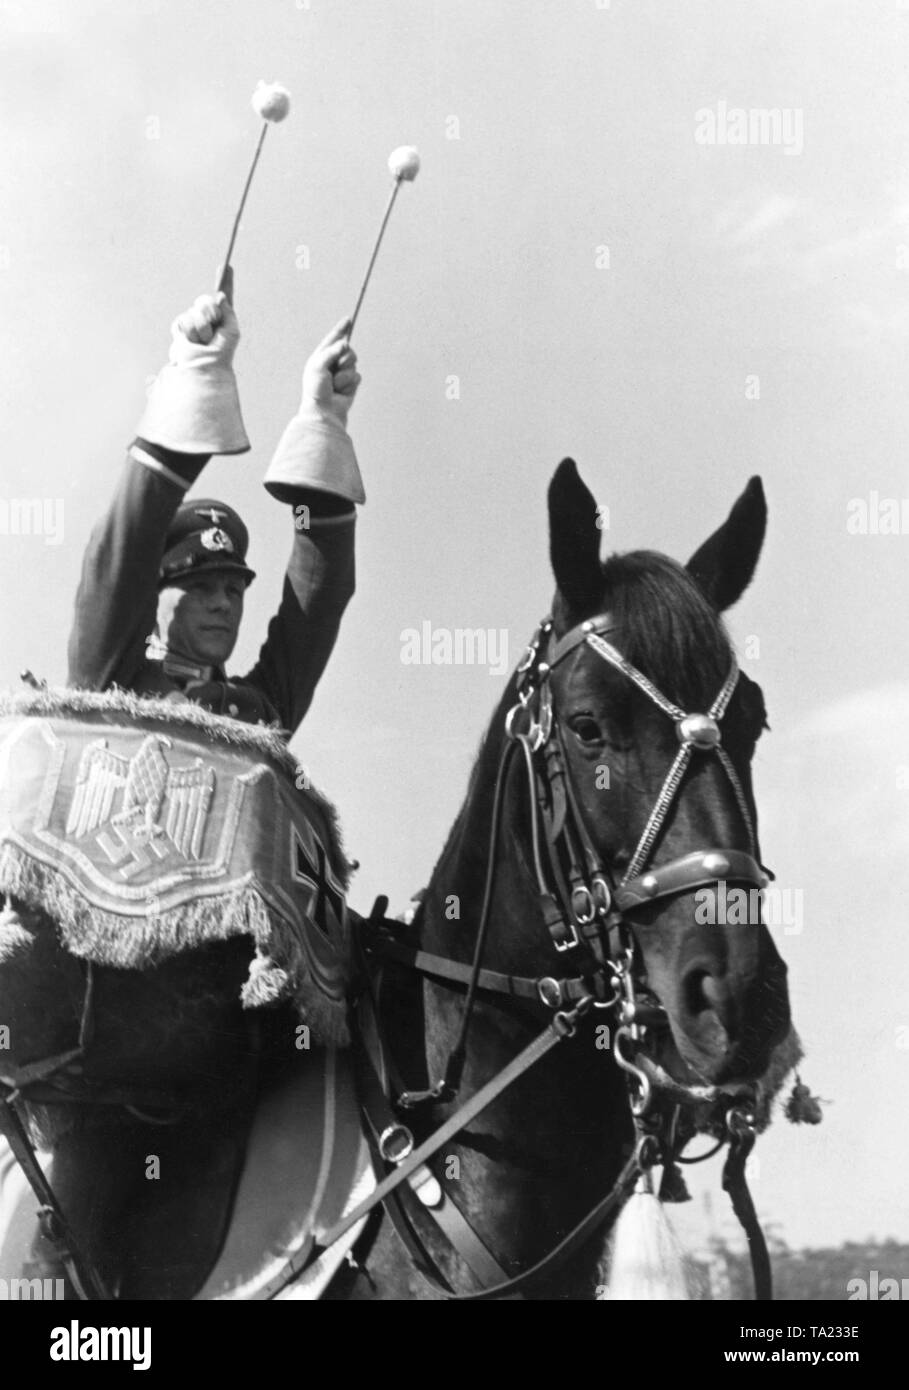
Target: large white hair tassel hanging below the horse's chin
x,y
647,1263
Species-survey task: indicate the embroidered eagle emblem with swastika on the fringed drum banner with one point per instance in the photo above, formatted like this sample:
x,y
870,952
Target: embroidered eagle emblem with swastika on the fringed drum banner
x,y
141,804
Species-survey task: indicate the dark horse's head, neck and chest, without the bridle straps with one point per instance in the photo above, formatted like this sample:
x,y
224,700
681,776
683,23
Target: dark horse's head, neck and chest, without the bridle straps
x,y
546,1152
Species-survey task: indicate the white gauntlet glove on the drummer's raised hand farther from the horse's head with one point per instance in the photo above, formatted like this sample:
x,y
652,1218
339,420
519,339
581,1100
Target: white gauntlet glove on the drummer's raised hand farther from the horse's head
x,y
194,405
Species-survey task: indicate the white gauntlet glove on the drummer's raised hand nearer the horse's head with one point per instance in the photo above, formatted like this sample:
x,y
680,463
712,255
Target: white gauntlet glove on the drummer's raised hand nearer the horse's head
x,y
316,450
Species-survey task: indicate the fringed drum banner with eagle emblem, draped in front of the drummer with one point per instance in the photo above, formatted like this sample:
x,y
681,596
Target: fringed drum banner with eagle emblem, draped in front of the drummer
x,y
145,829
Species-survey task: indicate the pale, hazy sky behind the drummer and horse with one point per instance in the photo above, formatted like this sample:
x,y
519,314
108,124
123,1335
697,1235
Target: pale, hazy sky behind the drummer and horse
x,y
578,270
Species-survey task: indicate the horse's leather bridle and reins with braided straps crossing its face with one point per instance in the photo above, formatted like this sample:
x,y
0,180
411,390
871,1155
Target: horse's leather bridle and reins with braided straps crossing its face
x,y
586,911
